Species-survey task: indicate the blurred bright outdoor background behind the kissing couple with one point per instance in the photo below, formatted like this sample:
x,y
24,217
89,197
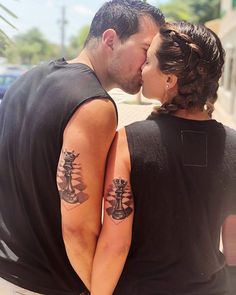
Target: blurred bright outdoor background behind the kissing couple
x,y
33,31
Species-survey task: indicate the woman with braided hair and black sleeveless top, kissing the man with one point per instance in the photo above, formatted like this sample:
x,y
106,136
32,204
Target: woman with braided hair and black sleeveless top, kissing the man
x,y
171,179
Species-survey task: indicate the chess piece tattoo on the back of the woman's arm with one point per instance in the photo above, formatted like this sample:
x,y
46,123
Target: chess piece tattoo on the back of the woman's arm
x,y
120,200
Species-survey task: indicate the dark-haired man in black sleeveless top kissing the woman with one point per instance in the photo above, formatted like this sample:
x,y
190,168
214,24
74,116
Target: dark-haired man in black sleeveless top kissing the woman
x,y
56,126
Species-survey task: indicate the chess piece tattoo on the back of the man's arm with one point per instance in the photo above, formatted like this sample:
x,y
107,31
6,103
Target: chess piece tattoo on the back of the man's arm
x,y
70,181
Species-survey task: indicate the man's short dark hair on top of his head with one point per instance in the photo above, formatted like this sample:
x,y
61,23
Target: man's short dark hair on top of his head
x,y
123,17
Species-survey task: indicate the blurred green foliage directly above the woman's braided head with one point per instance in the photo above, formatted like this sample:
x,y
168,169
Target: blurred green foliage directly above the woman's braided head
x,y
191,10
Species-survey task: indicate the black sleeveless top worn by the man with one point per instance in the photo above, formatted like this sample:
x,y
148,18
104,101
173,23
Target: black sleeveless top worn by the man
x,y
33,116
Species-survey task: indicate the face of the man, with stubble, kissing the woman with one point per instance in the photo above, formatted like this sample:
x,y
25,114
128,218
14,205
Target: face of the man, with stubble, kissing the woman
x,y
128,57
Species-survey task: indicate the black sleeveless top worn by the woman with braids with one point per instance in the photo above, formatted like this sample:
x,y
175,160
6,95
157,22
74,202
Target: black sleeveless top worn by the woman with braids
x,y
183,177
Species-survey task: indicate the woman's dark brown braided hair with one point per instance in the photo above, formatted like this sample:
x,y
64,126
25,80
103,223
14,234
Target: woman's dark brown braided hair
x,y
195,55
